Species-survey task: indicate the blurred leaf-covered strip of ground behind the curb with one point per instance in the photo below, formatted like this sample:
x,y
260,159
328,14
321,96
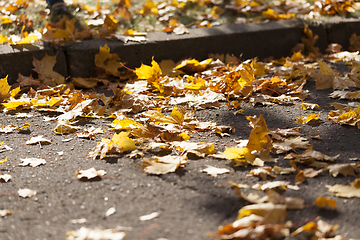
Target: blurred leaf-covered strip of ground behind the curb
x,y
27,21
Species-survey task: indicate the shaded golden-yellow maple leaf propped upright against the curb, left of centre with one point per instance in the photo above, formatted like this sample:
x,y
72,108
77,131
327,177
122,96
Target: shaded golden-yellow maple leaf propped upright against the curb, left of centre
x,y
108,61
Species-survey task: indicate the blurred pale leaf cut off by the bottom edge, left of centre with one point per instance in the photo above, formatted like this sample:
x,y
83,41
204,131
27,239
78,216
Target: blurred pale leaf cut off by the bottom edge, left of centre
x,y
95,234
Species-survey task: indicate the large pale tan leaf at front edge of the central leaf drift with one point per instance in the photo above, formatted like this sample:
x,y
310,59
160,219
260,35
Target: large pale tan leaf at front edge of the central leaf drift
x,y
163,165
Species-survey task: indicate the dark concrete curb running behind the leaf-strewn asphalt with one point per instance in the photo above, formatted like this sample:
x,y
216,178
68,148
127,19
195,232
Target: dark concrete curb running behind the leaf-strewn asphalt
x,y
250,40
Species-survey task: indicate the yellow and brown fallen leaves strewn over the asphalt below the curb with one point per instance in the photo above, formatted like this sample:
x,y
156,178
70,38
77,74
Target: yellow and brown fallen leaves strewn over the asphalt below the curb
x,y
152,114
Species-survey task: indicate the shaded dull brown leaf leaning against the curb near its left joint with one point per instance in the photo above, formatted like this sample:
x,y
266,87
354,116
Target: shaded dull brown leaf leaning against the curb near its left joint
x,y
44,68
